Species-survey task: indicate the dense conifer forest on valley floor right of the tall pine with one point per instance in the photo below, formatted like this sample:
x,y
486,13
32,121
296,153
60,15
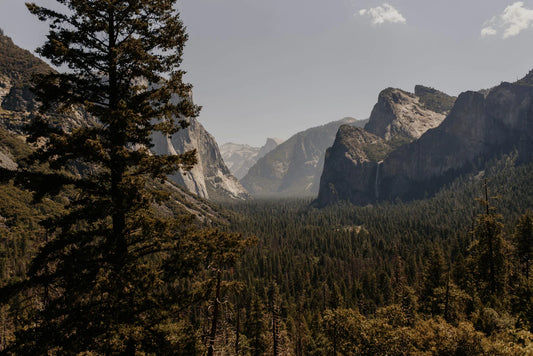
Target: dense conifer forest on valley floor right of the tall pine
x,y
447,275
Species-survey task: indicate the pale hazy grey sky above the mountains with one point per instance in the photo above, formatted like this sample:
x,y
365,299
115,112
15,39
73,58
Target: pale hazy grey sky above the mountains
x,y
270,68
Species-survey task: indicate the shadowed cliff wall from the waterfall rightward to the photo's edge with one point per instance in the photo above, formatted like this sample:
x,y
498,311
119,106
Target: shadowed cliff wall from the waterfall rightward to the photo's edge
x,y
476,130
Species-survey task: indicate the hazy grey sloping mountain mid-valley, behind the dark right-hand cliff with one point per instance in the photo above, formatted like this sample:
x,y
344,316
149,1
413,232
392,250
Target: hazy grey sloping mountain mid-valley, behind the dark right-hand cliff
x,y
293,168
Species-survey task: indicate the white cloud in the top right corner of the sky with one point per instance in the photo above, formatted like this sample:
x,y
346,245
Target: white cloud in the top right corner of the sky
x,y
513,20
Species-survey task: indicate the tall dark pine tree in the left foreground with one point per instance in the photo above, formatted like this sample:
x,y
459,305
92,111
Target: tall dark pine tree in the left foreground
x,y
114,276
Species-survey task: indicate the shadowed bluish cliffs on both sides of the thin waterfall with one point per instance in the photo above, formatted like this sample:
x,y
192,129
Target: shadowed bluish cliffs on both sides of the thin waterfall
x,y
477,129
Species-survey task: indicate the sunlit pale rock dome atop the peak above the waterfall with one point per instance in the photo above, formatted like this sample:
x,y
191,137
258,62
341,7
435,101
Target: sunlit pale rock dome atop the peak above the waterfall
x,y
401,117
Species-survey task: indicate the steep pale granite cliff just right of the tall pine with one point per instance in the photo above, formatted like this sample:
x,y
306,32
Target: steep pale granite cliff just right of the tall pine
x,y
209,178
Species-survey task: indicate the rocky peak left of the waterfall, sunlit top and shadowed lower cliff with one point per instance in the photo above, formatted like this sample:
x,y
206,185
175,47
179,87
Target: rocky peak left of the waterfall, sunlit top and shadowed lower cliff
x,y
353,164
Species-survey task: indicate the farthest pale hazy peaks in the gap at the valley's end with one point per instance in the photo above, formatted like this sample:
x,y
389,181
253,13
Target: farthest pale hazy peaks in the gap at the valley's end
x,y
239,157
